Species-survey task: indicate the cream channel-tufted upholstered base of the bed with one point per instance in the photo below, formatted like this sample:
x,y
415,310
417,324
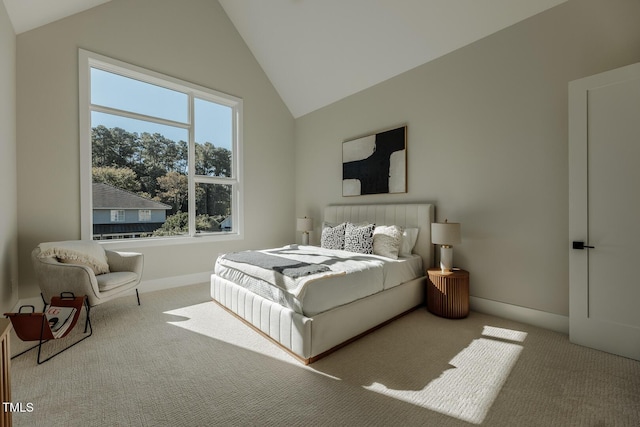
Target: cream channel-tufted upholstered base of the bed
x,y
310,338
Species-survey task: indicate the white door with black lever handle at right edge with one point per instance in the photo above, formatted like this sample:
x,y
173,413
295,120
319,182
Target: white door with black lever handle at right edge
x,y
604,211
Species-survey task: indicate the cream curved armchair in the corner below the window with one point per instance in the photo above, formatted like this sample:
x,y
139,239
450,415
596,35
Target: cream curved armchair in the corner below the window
x,y
85,268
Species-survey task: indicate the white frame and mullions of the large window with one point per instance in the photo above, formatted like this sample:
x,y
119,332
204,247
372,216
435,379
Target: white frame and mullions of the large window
x,y
88,60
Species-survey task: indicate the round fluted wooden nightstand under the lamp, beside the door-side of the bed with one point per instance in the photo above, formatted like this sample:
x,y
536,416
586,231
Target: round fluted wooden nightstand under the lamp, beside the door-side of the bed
x,y
448,293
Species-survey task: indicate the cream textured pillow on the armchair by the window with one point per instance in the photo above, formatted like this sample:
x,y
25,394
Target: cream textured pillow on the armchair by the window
x,y
87,253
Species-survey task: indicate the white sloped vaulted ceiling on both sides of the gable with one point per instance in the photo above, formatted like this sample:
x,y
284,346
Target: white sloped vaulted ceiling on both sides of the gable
x,y
316,52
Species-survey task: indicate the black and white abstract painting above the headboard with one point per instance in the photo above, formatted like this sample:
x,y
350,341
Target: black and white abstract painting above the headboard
x,y
375,164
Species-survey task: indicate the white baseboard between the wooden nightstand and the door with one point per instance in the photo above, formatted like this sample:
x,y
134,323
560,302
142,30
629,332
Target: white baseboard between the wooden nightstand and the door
x,y
542,319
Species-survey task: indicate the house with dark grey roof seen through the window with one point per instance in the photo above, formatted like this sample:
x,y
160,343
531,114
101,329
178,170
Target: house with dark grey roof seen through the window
x,y
121,214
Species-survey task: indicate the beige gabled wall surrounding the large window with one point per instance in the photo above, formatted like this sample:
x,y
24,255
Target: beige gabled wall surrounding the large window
x,y
198,44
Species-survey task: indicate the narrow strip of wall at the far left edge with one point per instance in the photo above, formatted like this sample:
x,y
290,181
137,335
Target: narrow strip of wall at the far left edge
x,y
8,172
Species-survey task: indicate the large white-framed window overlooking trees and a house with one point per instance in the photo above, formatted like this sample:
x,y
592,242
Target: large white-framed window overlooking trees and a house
x,y
163,147
